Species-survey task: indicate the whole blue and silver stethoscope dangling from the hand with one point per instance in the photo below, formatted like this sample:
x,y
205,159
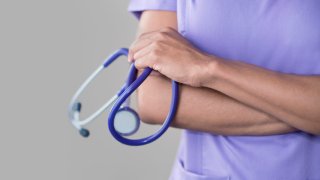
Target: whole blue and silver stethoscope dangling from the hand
x,y
122,120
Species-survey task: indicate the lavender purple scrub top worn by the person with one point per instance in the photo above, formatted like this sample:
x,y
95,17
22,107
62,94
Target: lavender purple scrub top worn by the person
x,y
278,35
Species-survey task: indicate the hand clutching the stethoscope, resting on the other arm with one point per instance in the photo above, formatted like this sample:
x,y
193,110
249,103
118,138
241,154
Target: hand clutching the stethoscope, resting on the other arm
x,y
167,52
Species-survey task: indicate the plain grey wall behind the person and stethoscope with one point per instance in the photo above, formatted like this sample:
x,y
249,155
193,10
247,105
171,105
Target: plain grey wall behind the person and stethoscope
x,y
47,49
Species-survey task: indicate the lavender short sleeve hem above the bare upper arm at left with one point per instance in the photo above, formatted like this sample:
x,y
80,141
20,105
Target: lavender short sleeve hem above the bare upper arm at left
x,y
138,6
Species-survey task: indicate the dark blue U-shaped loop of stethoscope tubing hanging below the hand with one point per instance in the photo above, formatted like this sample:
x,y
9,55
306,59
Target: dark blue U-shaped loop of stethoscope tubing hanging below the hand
x,y
122,98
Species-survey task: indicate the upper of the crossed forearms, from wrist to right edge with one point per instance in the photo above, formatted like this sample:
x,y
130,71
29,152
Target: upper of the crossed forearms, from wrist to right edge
x,y
291,98
